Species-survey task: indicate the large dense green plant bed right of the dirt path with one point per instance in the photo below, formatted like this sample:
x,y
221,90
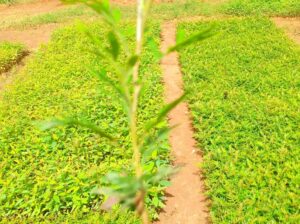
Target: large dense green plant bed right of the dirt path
x,y
244,98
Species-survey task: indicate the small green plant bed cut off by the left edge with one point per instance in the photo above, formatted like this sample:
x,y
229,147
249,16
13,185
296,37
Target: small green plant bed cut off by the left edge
x,y
9,54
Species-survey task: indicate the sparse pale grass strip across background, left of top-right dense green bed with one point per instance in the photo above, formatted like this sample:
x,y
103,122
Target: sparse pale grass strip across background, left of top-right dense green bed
x,y
163,11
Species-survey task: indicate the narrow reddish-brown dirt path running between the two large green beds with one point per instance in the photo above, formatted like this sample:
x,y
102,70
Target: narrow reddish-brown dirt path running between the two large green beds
x,y
186,202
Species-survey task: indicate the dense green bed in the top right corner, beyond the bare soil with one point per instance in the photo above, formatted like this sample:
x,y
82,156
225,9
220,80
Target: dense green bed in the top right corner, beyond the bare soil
x,y
266,7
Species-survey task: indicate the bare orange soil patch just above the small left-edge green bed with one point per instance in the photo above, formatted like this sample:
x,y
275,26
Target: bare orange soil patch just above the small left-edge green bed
x,y
32,38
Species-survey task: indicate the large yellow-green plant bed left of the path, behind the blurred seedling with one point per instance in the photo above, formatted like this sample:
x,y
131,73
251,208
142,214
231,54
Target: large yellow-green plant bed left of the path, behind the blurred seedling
x,y
52,173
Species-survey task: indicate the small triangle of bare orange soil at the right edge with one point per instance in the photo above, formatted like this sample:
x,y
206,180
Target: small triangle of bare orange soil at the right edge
x,y
290,25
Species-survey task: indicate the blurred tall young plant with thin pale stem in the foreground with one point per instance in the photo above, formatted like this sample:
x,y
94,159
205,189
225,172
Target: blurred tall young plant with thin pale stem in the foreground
x,y
126,188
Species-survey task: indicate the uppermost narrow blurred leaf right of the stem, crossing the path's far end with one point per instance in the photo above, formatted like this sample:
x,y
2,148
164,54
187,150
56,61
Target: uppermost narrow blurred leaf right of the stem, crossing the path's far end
x,y
193,39
